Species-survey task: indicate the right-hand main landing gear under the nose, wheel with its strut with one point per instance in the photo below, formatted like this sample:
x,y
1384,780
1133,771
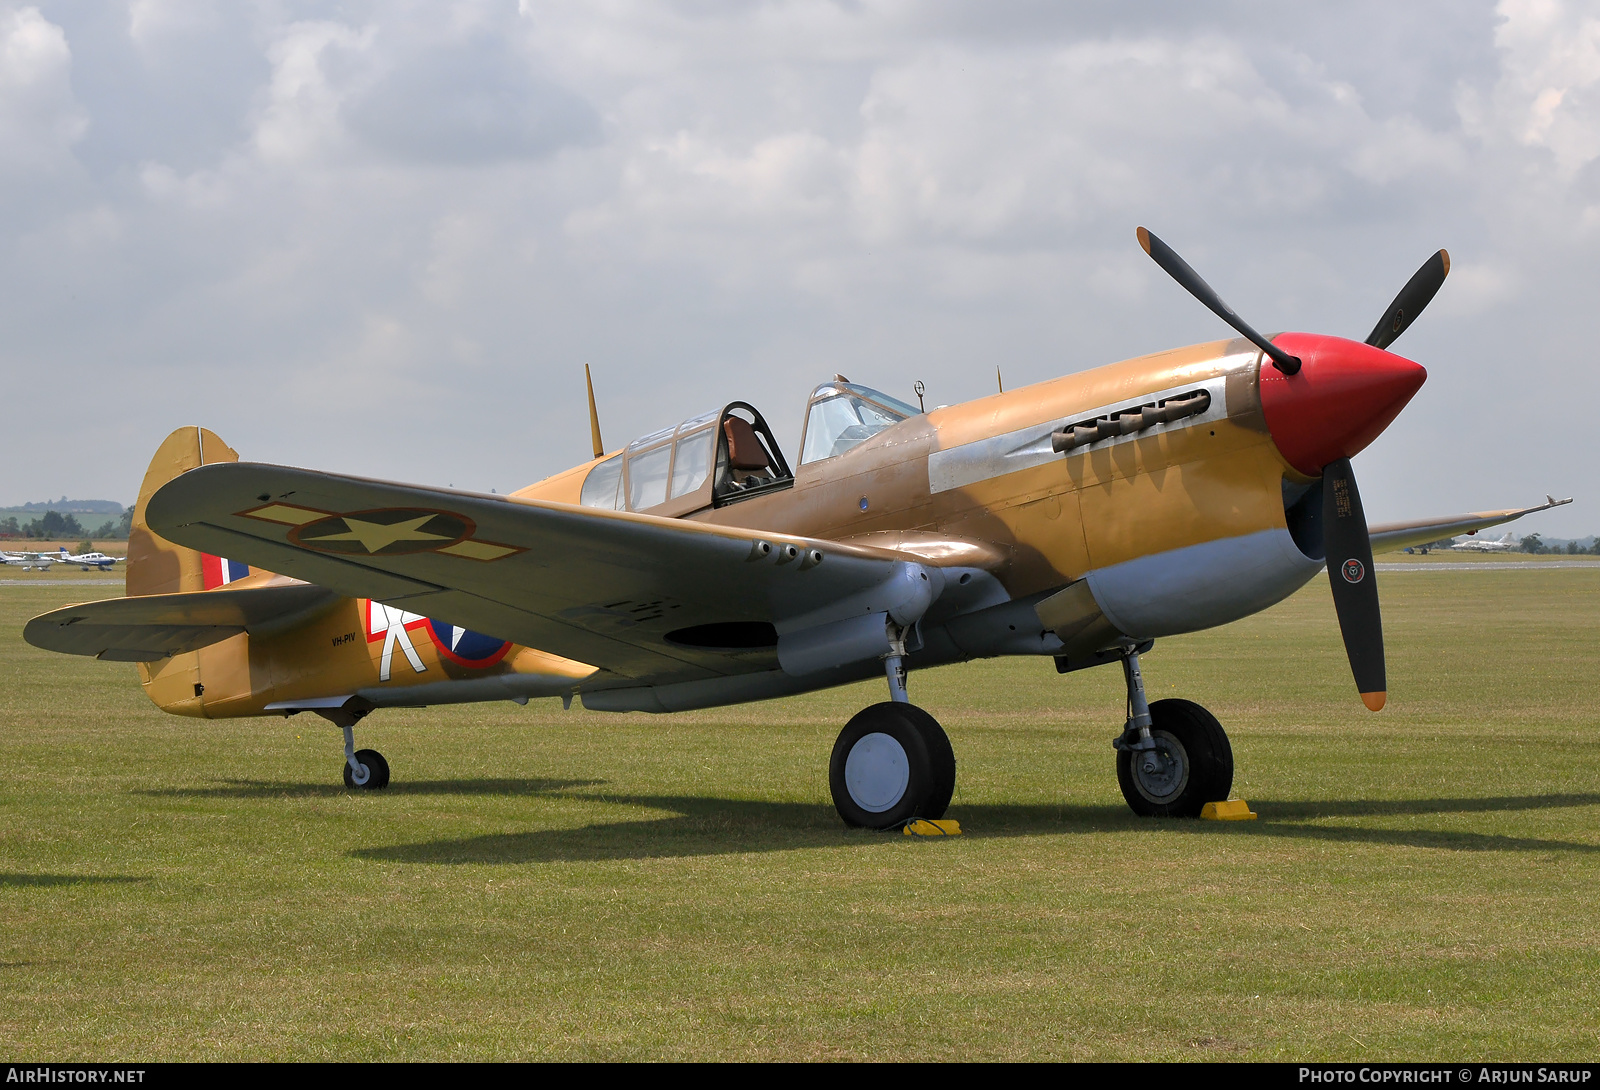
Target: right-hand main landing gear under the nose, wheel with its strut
x,y
1174,756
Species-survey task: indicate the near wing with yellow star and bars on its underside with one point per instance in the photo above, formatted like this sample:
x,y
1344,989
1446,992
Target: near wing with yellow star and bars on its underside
x,y
644,598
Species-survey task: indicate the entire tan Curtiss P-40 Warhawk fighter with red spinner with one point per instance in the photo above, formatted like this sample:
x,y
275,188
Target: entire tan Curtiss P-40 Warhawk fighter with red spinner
x,y
1078,519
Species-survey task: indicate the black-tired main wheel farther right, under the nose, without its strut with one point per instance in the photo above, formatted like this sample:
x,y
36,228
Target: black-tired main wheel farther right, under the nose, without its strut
x,y
1191,737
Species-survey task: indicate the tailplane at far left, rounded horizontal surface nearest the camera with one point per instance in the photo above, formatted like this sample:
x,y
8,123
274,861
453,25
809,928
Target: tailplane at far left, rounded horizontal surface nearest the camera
x,y
158,627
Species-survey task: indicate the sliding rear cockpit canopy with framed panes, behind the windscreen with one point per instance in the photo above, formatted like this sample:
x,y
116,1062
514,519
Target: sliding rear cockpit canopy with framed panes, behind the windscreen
x,y
710,460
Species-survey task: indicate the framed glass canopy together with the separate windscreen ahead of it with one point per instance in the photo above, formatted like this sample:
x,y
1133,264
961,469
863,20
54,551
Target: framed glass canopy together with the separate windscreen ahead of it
x,y
729,455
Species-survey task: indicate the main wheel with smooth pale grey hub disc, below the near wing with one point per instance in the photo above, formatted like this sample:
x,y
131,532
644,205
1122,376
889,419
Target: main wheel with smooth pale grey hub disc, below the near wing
x,y
892,763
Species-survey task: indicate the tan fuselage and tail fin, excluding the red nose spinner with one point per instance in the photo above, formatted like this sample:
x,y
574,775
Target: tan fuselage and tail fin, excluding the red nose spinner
x,y
1174,529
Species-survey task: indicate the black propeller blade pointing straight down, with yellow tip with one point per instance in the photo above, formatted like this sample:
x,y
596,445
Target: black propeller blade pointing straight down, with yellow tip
x,y
1350,550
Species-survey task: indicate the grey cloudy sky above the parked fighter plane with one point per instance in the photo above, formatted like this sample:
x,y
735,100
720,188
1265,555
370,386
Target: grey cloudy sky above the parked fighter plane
x,y
386,238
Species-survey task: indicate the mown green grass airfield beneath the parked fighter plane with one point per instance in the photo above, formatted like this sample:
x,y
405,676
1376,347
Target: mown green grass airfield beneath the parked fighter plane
x,y
546,884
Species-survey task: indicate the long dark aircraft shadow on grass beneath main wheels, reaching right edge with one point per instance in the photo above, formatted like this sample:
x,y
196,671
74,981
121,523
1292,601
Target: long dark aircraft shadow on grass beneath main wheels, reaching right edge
x,y
724,827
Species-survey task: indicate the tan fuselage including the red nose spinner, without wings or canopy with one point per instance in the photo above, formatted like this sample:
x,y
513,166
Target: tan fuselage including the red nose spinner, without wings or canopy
x,y
1174,527
